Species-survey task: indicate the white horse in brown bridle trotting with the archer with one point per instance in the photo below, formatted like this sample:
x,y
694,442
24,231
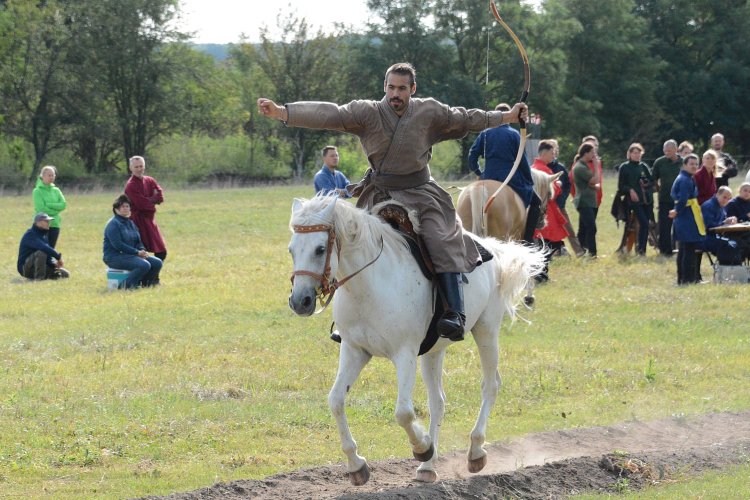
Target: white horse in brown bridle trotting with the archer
x,y
385,310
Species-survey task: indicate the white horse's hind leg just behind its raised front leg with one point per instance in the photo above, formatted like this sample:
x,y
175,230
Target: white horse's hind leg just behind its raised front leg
x,y
432,374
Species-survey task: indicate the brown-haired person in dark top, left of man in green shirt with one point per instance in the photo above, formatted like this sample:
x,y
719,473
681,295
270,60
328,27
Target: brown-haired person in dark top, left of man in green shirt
x,y
636,183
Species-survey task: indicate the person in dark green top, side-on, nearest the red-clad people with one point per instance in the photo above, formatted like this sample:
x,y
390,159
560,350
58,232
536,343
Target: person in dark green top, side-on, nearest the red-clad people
x,y
587,184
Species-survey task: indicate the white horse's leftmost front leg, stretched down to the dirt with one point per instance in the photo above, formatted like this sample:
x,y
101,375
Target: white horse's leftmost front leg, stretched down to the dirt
x,y
351,363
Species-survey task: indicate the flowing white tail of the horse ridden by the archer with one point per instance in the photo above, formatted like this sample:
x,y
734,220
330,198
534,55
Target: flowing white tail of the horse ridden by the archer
x,y
516,265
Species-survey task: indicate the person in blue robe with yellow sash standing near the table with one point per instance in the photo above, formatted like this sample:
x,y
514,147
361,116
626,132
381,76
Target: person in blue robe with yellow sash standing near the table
x,y
688,221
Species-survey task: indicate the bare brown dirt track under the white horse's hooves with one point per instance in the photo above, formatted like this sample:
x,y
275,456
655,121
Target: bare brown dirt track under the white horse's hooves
x,y
544,466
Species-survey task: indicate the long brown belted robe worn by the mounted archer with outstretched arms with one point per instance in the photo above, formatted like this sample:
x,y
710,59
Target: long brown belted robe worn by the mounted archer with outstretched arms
x,y
398,149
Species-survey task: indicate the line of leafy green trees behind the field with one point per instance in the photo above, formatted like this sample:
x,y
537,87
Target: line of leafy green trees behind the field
x,y
90,83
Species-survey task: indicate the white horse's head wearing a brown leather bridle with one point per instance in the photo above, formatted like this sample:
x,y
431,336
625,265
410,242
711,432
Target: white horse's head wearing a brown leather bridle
x,y
311,246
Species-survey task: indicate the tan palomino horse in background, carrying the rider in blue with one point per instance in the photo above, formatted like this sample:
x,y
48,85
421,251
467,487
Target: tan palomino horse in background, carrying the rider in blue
x,y
506,218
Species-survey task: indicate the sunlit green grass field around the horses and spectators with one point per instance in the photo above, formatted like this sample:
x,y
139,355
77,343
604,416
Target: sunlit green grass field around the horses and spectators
x,y
211,377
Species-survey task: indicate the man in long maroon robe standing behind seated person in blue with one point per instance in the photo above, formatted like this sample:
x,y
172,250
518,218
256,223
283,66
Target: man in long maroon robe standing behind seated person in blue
x,y
145,194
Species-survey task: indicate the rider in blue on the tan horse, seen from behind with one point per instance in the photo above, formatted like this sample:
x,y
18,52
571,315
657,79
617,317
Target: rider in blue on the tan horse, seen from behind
x,y
499,147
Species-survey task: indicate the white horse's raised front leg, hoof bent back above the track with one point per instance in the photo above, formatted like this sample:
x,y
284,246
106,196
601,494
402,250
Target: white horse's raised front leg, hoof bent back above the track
x,y
406,372
